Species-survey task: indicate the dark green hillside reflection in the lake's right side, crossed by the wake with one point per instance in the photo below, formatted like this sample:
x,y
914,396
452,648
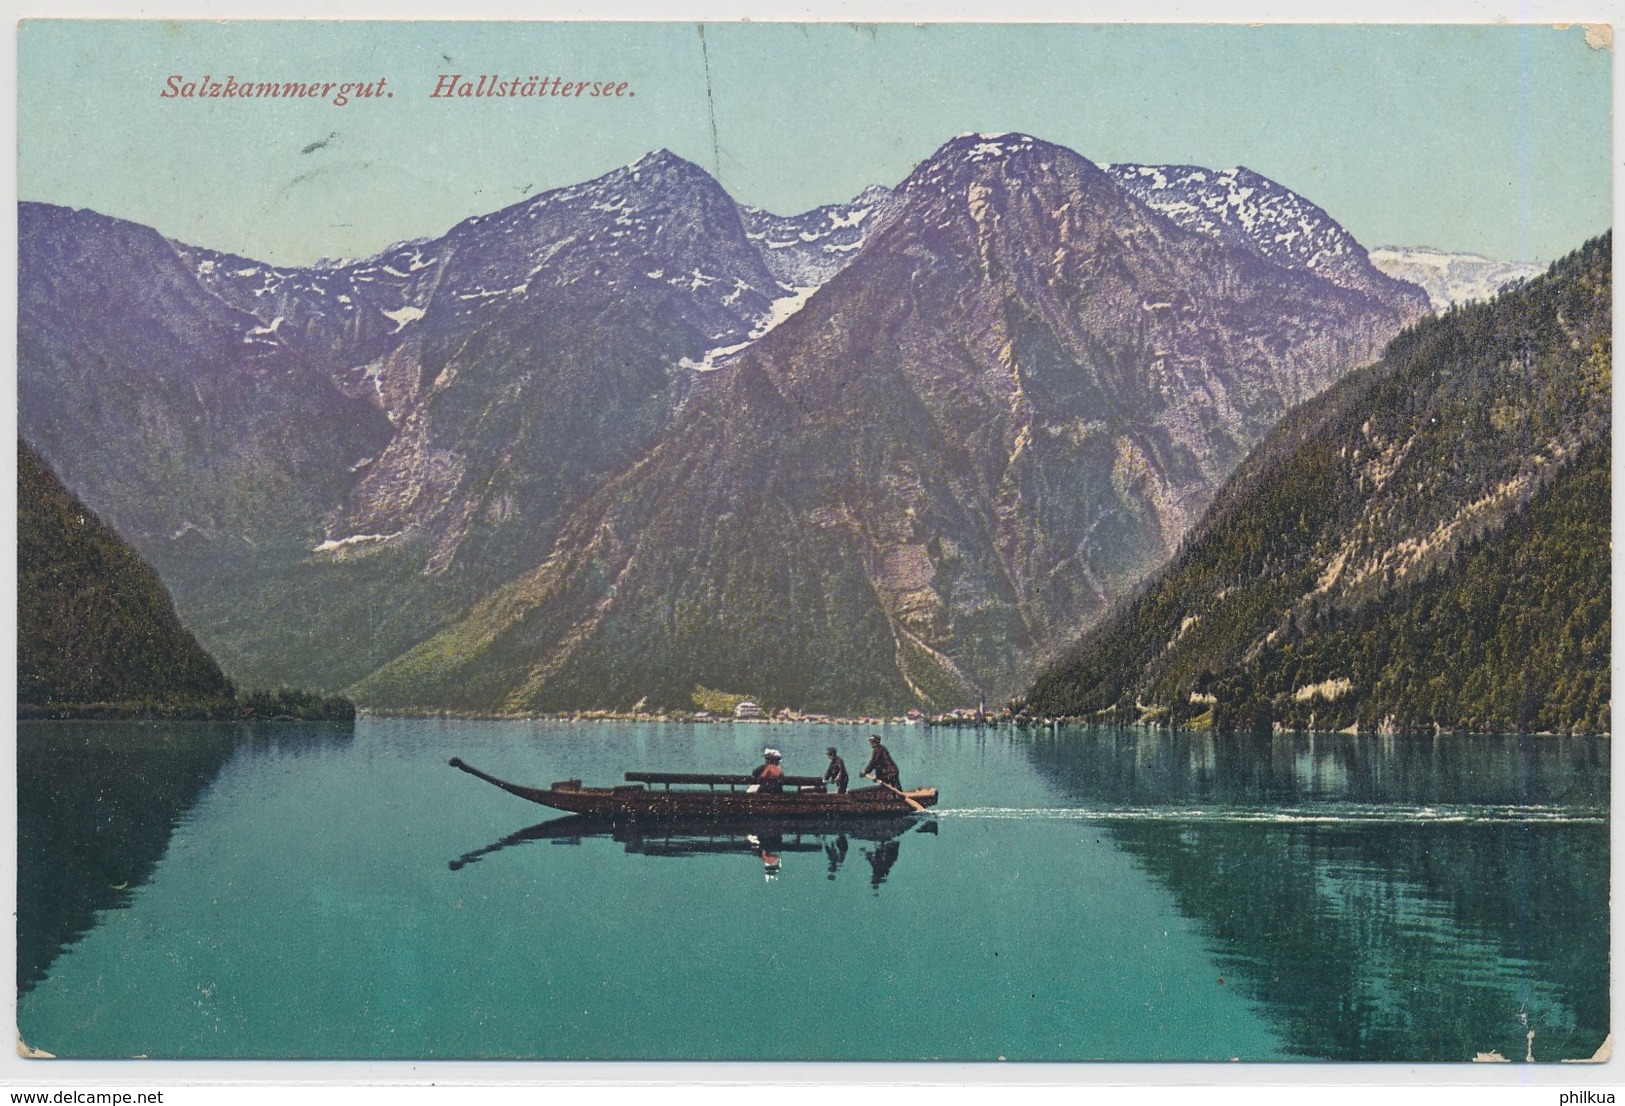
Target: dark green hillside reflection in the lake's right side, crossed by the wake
x,y
1382,899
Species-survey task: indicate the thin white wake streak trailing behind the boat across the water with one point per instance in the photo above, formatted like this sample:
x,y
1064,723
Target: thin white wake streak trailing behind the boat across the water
x,y
1350,814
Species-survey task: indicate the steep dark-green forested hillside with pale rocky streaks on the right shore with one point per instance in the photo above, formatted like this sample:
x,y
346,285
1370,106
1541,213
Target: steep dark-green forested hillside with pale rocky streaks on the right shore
x,y
1426,545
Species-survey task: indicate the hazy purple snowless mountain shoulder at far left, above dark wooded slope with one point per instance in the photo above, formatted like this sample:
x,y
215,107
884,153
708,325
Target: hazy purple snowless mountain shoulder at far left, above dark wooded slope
x,y
162,405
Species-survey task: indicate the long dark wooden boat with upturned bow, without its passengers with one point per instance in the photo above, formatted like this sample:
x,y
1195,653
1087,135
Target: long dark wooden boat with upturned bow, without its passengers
x,y
682,795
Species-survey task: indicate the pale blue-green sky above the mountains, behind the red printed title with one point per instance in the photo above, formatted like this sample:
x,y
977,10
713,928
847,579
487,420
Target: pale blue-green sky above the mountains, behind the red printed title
x,y
1484,139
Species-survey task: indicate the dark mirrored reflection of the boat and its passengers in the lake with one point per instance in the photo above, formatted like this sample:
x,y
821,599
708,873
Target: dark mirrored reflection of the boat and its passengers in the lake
x,y
773,842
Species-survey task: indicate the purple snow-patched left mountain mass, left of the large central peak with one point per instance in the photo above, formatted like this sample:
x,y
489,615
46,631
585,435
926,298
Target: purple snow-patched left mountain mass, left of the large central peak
x,y
326,462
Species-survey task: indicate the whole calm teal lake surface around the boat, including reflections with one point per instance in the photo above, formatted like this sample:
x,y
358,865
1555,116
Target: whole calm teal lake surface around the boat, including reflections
x,y
332,892
